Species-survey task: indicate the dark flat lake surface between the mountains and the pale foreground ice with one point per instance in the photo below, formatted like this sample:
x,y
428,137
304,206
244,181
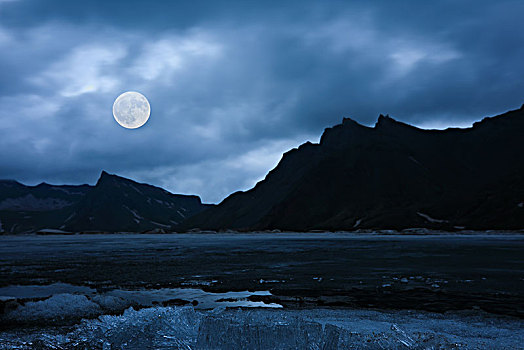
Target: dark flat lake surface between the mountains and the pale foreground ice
x,y
433,273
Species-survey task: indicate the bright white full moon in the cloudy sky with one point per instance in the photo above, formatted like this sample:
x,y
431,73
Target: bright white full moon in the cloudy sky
x,y
131,110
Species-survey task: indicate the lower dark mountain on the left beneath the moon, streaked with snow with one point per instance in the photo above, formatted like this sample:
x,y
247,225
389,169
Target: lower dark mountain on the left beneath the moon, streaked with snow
x,y
113,204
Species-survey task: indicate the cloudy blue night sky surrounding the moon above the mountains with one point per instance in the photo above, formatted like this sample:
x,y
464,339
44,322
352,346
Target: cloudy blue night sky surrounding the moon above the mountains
x,y
234,84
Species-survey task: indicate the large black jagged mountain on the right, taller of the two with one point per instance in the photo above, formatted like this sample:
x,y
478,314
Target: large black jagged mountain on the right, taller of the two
x,y
390,176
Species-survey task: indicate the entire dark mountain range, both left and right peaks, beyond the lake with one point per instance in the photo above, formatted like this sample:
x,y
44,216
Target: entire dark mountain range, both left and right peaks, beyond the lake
x,y
390,176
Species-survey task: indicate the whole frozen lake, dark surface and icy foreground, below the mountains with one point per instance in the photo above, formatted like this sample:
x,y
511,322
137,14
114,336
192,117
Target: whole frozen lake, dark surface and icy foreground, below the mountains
x,y
372,291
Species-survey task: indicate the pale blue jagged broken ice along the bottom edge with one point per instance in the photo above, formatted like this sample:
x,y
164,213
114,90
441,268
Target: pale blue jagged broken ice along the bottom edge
x,y
187,328
